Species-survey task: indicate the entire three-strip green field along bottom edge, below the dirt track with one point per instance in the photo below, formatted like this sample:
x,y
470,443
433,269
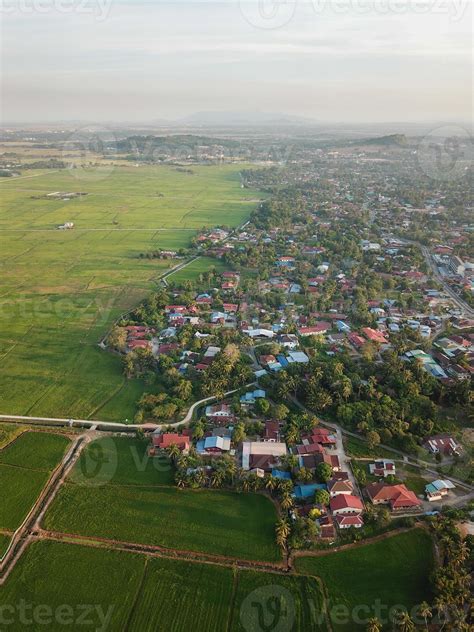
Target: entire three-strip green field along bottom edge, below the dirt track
x,y
139,593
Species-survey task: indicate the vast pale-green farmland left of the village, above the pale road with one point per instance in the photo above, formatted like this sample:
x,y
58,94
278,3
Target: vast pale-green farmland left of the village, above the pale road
x,y
61,290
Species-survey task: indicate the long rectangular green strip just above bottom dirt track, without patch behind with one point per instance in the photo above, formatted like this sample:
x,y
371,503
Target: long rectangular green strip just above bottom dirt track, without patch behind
x,y
216,522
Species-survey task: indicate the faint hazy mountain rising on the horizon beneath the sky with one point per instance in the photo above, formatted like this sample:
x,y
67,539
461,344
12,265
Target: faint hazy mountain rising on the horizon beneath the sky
x,y
213,119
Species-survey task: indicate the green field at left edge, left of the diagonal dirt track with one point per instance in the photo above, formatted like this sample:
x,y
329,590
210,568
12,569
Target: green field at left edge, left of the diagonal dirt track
x,y
25,466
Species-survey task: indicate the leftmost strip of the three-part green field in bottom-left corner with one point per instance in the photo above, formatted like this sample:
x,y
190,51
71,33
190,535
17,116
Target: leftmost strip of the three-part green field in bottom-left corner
x,y
63,582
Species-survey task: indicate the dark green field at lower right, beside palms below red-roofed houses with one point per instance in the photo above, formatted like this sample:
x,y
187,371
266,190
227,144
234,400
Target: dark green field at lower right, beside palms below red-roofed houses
x,y
394,571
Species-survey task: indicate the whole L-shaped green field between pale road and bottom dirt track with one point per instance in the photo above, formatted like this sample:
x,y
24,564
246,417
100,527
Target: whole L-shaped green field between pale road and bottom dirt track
x,y
144,506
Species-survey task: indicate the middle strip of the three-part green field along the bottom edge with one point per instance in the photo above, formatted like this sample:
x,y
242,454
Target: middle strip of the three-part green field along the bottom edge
x,y
177,596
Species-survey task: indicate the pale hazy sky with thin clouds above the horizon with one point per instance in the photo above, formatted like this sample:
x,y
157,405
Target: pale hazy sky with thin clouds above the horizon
x,y
332,60
